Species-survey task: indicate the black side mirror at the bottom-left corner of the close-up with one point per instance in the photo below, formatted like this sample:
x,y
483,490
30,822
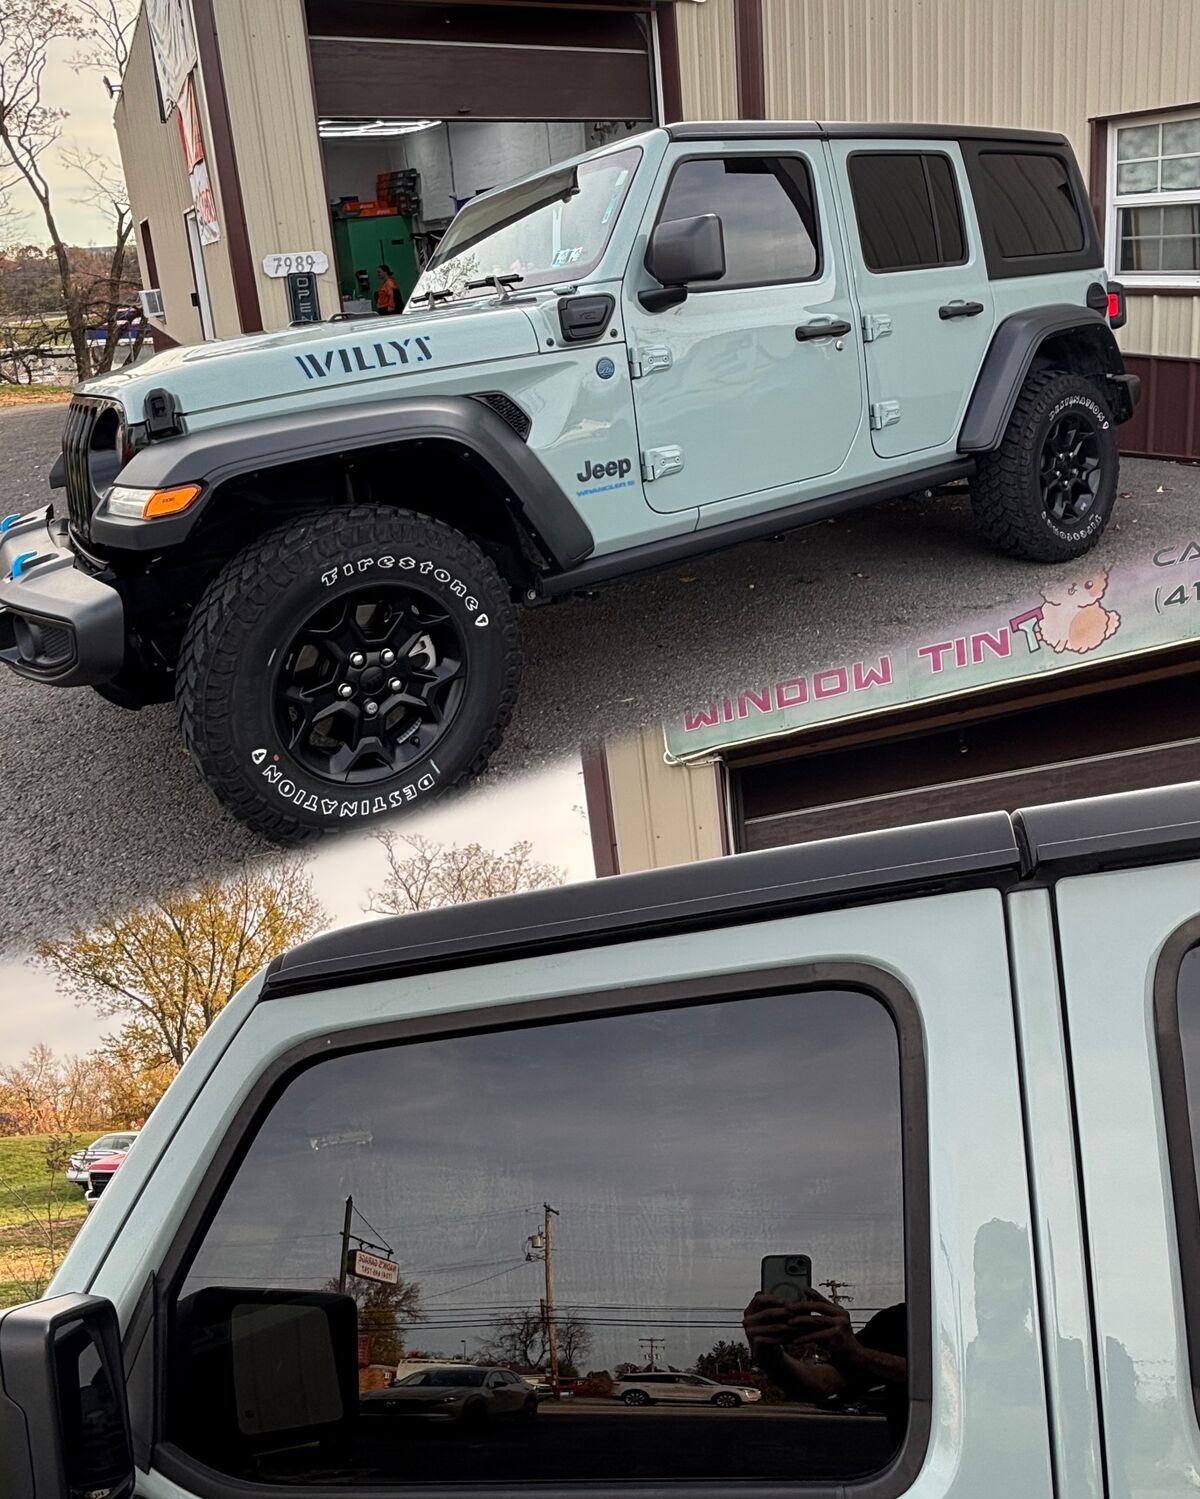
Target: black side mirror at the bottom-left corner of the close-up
x,y
64,1410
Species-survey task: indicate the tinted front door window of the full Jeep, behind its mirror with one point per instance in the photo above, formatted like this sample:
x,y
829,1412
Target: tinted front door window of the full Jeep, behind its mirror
x,y
766,211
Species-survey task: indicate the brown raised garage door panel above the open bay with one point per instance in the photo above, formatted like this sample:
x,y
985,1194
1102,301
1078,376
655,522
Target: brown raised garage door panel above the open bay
x,y
483,62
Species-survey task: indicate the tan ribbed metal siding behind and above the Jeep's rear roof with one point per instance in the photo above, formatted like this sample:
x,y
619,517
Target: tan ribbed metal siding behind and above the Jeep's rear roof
x,y
1034,64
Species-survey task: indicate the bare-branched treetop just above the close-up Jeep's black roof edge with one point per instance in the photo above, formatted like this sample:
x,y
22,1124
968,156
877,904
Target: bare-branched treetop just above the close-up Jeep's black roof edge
x,y
425,875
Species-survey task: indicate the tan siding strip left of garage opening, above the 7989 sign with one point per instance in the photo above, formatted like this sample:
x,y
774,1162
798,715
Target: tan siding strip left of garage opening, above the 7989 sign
x,y
264,52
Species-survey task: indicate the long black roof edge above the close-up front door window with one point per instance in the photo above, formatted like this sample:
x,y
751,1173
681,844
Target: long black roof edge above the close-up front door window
x,y
757,887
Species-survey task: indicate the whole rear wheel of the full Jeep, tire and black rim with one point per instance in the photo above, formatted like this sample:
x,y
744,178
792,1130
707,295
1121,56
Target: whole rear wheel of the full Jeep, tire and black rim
x,y
1048,492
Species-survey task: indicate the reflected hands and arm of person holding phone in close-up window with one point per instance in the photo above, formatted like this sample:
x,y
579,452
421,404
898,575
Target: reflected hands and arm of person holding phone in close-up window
x,y
855,1362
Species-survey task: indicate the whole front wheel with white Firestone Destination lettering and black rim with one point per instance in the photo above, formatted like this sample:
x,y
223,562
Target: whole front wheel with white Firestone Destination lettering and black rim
x,y
344,668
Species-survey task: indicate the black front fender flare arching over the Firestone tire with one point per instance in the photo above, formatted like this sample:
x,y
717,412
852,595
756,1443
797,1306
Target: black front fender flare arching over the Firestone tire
x,y
218,455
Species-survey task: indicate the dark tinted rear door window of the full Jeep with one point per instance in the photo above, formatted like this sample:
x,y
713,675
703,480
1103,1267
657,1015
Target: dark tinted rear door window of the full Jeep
x,y
909,211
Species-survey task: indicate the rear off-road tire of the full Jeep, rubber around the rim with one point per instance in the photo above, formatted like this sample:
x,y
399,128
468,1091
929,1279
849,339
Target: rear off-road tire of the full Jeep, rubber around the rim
x,y
1006,492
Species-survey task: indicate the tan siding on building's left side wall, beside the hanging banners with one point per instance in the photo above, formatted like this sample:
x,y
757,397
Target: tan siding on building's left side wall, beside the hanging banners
x,y
160,193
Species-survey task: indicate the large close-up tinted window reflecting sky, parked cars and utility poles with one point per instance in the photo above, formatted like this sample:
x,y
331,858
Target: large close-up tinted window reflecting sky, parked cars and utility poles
x,y
688,1219
